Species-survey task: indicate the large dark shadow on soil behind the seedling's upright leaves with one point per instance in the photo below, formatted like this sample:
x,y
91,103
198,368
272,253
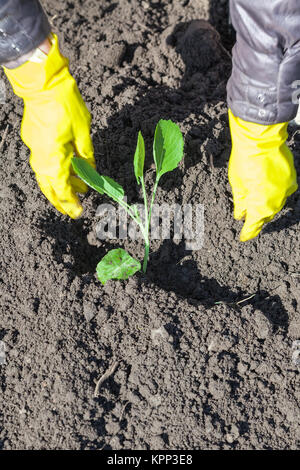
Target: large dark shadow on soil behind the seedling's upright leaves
x,y
207,69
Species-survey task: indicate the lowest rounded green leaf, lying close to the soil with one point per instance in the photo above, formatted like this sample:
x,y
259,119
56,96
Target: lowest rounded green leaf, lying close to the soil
x,y
117,264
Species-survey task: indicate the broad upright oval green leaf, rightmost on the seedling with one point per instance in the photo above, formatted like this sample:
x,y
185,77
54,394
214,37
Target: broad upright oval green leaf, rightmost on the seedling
x,y
167,146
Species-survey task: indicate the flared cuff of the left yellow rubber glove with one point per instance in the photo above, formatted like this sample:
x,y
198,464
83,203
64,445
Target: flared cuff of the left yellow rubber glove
x,y
32,78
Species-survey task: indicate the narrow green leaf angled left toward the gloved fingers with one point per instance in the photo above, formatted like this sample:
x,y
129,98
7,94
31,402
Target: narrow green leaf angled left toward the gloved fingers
x,y
102,184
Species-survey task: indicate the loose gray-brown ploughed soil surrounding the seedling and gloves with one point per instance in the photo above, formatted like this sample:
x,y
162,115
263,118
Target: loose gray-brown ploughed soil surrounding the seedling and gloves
x,y
199,349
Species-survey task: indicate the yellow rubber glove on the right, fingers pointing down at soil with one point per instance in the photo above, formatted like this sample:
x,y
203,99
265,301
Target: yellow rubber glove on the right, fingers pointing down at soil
x,y
261,172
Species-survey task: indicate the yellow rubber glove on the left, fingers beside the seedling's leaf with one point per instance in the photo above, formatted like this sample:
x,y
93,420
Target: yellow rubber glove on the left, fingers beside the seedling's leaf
x,y
55,125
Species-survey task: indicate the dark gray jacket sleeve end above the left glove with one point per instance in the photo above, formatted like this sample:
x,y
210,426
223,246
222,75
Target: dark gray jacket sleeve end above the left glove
x,y
23,26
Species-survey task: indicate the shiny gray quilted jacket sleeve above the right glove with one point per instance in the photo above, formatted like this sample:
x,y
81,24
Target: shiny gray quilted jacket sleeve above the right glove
x,y
266,60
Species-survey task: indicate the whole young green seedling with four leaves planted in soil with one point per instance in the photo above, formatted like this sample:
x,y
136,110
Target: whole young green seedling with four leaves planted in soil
x,y
167,153
